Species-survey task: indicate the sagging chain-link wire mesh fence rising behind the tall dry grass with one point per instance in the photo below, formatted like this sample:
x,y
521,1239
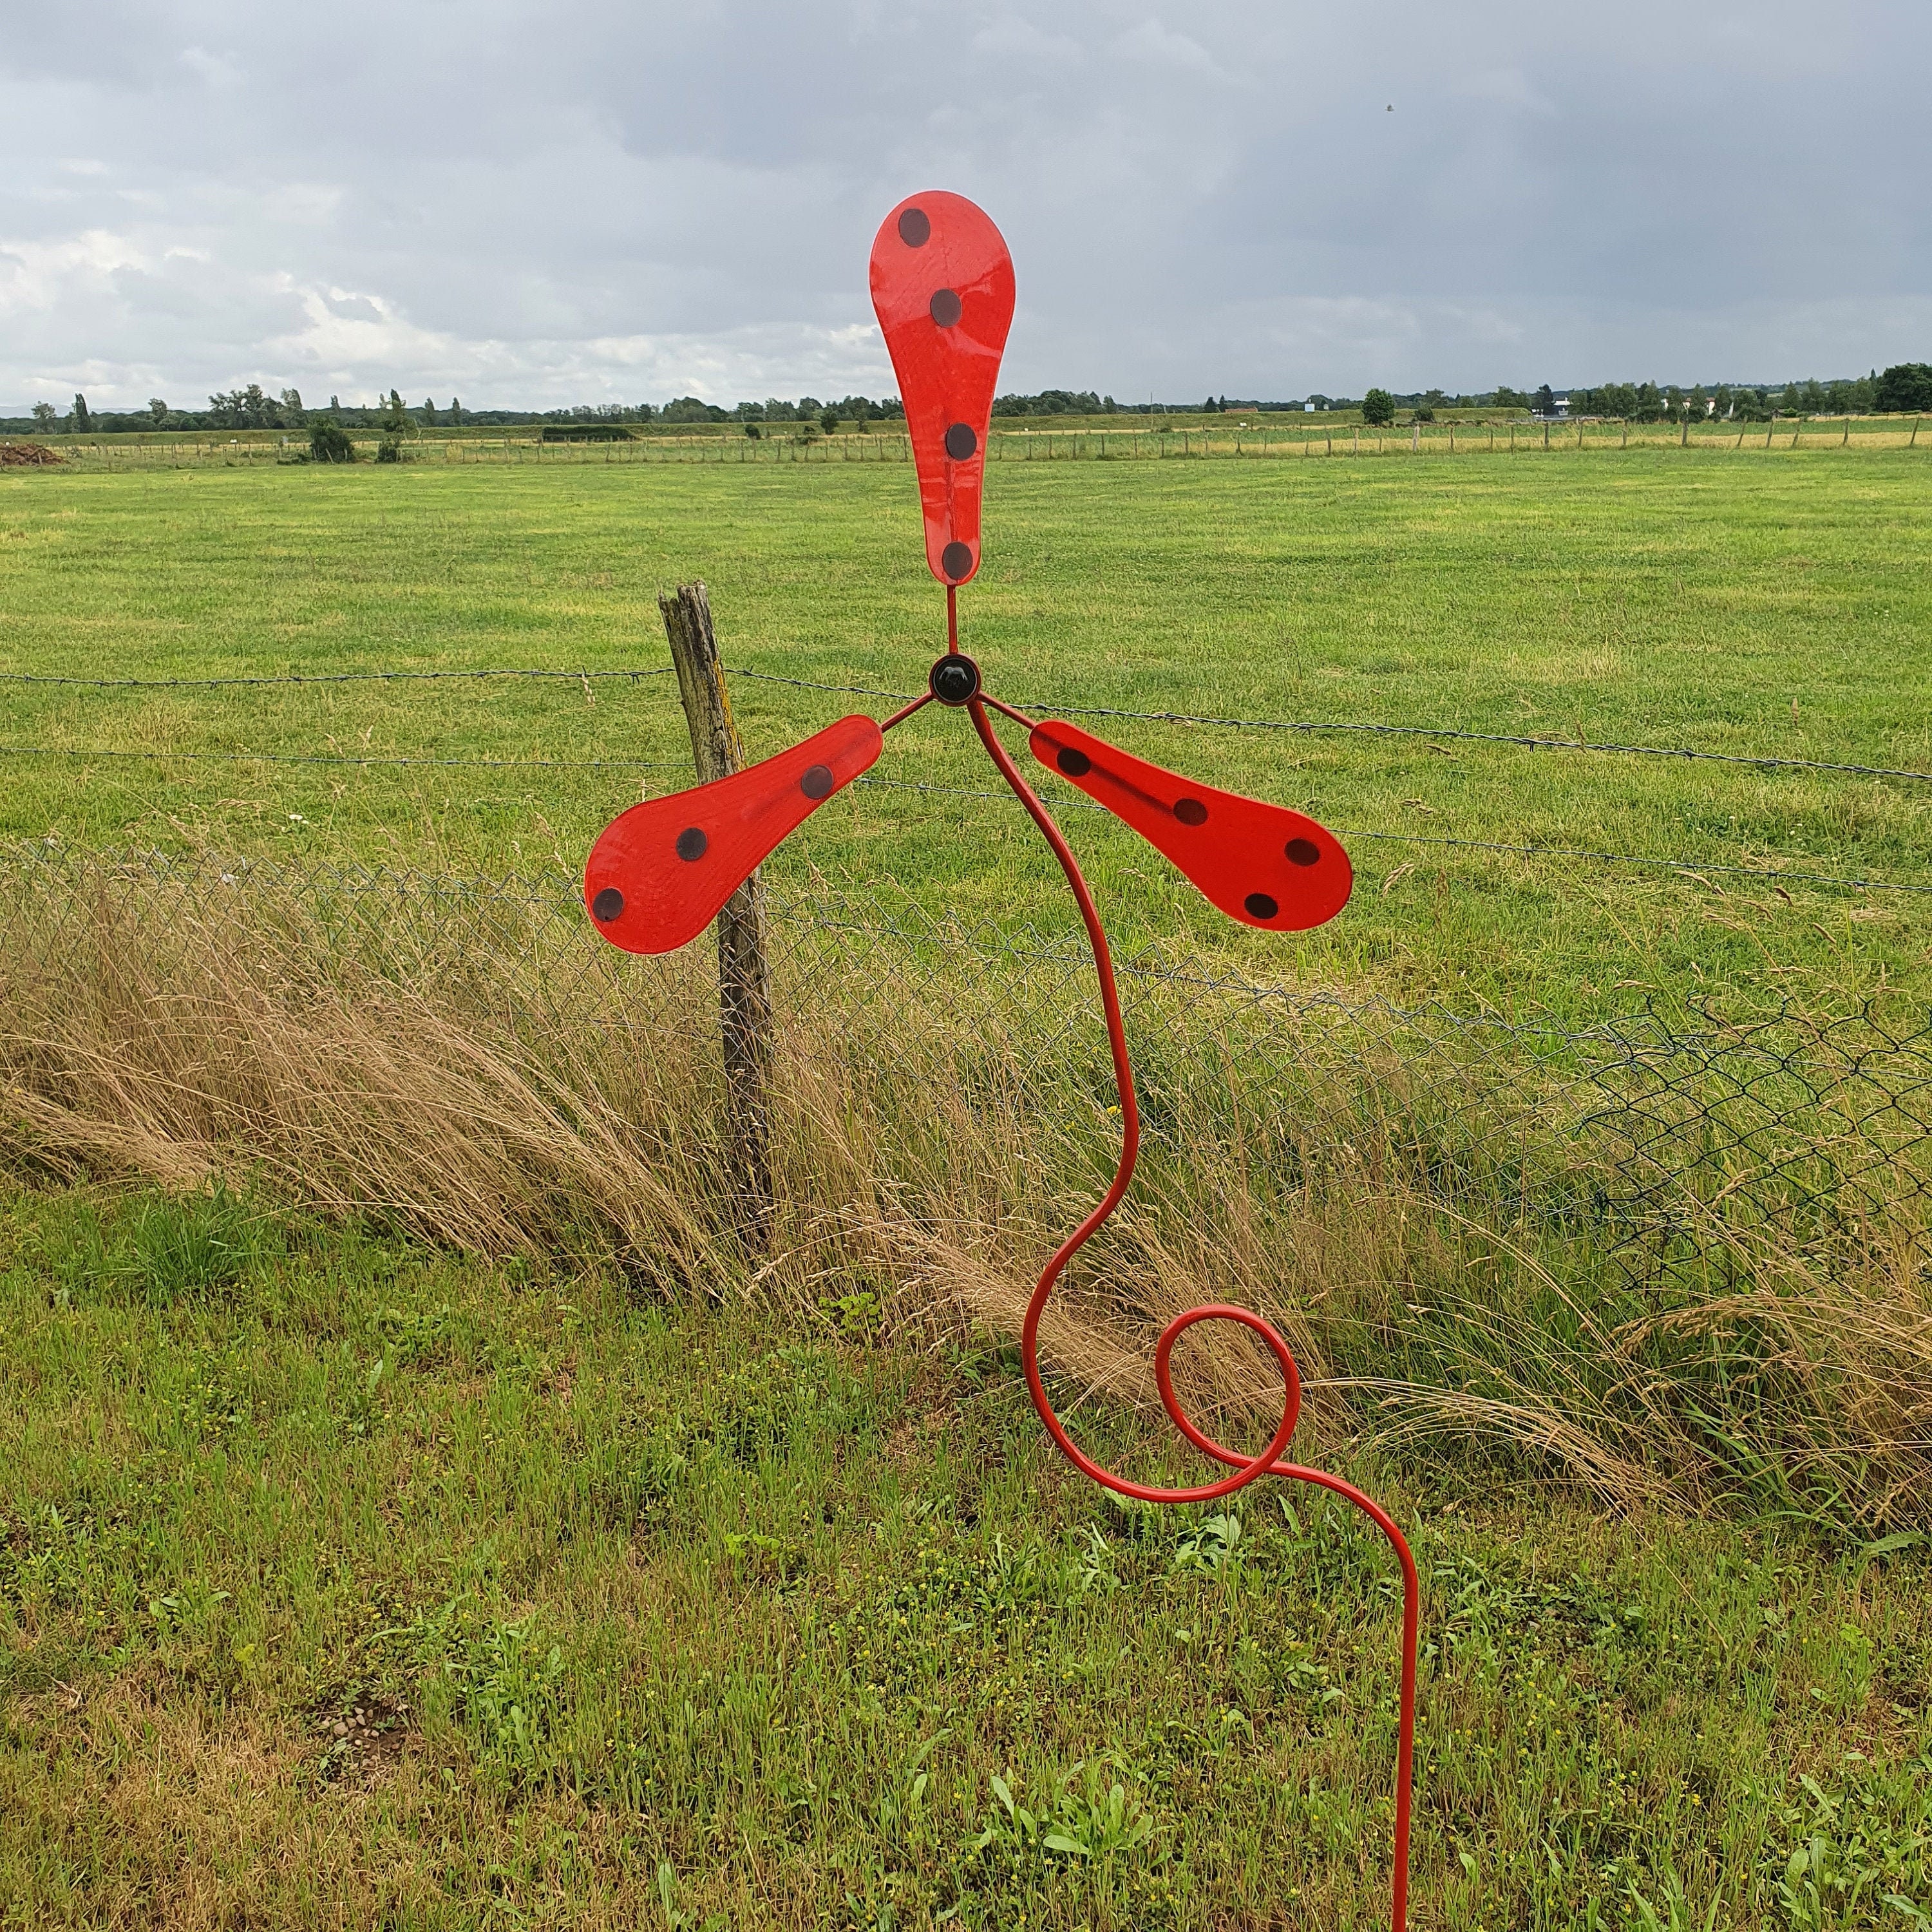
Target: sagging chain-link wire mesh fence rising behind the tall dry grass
x,y
1643,1135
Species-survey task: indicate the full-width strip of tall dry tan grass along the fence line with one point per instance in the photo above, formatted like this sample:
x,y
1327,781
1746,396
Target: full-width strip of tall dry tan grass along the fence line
x,y
488,1114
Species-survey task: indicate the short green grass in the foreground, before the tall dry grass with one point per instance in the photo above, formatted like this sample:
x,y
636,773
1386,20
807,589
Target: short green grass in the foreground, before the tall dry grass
x,y
345,1583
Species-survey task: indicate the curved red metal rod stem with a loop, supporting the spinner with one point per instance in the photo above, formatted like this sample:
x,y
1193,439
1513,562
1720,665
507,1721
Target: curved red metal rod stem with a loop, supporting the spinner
x,y
1247,1469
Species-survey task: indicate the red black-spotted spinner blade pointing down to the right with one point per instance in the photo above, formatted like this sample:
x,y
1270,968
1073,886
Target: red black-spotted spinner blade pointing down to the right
x,y
1261,865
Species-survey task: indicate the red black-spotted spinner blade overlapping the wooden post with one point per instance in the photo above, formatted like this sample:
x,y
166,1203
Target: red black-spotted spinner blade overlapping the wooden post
x,y
660,874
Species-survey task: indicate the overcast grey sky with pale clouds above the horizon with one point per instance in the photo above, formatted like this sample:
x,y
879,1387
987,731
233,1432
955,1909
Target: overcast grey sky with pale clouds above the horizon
x,y
629,200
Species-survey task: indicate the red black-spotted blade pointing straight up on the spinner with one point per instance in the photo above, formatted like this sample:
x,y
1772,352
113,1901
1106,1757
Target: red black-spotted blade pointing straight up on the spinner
x,y
942,287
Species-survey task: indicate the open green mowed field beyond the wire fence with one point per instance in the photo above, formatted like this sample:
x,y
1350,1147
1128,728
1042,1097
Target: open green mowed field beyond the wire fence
x,y
1773,604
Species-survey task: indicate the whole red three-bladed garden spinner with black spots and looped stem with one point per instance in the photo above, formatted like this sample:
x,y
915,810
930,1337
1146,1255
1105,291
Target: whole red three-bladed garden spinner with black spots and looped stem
x,y
942,285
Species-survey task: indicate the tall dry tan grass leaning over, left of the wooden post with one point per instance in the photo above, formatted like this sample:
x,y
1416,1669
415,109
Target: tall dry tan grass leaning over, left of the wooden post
x,y
233,1048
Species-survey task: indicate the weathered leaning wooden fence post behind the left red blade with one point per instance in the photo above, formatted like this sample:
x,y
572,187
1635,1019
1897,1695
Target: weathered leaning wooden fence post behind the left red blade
x,y
745,975
